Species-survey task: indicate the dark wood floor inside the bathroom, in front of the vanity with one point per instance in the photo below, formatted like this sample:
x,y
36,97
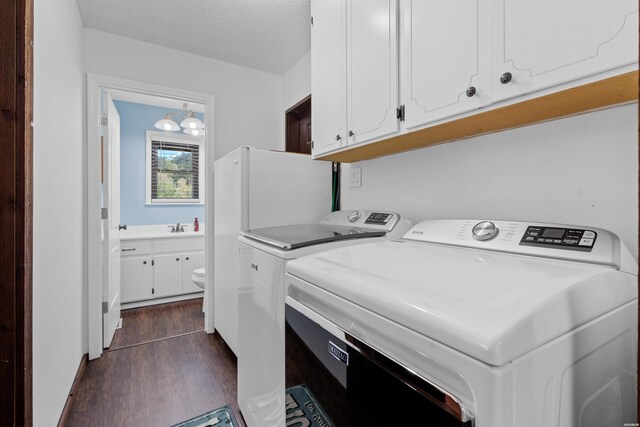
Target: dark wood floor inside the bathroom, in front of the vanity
x,y
144,324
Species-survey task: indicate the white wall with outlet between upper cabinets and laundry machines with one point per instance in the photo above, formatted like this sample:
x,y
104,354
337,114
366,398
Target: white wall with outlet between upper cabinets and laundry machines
x,y
581,170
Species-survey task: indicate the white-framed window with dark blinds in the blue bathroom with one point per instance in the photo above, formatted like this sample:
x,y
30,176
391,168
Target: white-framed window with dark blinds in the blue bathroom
x,y
174,171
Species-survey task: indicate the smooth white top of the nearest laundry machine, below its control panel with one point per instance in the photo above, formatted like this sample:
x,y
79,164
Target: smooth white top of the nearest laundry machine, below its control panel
x,y
489,305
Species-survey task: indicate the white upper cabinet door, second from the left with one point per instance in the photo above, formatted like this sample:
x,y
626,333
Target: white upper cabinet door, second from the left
x,y
372,69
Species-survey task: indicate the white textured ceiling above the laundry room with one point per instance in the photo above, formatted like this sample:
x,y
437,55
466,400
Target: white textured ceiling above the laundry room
x,y
269,35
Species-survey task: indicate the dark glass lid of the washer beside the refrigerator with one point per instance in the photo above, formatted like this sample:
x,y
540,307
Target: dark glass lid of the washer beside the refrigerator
x,y
300,235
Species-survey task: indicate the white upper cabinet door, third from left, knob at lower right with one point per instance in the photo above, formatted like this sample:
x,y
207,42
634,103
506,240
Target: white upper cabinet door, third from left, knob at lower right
x,y
446,58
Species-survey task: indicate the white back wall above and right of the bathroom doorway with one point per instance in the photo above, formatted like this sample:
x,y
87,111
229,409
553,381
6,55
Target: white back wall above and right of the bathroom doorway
x,y
248,102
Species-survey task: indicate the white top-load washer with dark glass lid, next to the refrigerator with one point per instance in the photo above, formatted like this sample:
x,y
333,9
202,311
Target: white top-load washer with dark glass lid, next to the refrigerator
x,y
263,254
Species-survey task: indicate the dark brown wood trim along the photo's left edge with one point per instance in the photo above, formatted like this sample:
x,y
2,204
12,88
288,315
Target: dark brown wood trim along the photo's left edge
x,y
16,106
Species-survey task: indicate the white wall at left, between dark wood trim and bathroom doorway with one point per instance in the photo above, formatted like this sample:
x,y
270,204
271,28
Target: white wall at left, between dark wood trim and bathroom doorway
x,y
59,338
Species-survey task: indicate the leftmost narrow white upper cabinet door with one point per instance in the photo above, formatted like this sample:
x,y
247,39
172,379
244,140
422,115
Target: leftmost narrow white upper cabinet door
x,y
328,76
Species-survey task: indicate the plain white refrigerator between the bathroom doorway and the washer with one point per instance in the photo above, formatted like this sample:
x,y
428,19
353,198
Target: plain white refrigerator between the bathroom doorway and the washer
x,y
256,188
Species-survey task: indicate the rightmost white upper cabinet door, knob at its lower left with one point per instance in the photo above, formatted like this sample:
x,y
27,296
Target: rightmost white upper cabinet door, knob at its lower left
x,y
545,43
